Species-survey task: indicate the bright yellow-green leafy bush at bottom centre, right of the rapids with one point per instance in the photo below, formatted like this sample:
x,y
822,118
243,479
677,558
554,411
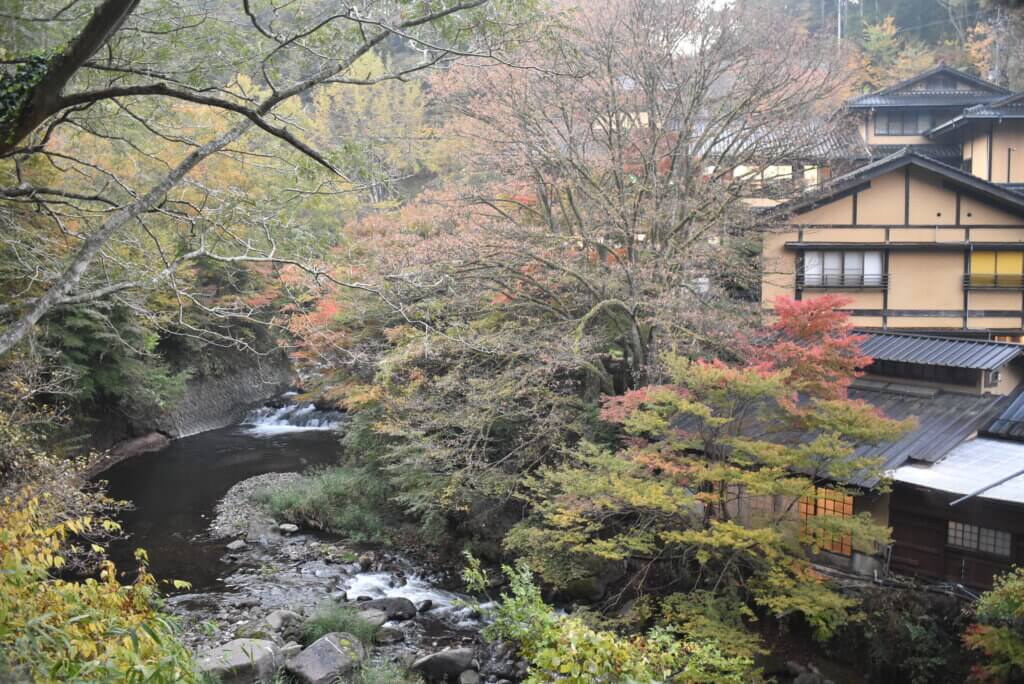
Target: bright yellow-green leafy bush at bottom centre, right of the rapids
x,y
565,649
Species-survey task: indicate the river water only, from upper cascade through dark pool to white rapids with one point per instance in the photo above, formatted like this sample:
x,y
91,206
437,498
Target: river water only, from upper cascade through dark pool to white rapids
x,y
176,491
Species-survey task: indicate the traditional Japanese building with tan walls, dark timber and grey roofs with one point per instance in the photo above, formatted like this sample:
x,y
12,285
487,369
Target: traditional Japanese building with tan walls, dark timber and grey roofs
x,y
926,242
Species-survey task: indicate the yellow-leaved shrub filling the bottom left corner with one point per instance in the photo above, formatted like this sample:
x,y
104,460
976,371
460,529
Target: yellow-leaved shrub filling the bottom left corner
x,y
94,631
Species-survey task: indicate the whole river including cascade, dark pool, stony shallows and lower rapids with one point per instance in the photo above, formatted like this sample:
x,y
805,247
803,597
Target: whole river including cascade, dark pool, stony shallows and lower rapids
x,y
176,492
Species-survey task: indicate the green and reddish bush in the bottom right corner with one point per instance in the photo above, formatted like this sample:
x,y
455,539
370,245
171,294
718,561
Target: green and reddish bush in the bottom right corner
x,y
999,634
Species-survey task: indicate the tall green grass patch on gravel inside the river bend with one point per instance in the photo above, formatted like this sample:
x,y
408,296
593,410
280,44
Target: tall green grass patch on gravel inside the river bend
x,y
342,500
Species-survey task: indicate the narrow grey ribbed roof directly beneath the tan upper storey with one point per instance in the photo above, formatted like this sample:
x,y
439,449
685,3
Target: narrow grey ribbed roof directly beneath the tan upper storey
x,y
949,352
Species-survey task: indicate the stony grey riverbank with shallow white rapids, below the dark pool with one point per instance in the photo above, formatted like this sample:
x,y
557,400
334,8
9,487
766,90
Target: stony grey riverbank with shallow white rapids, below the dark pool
x,y
278,578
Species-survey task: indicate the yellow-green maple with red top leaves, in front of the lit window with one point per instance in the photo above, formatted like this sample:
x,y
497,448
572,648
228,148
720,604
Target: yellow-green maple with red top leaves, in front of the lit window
x,y
706,494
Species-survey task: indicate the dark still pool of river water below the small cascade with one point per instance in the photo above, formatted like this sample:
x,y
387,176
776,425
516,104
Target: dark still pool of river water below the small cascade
x,y
176,490
